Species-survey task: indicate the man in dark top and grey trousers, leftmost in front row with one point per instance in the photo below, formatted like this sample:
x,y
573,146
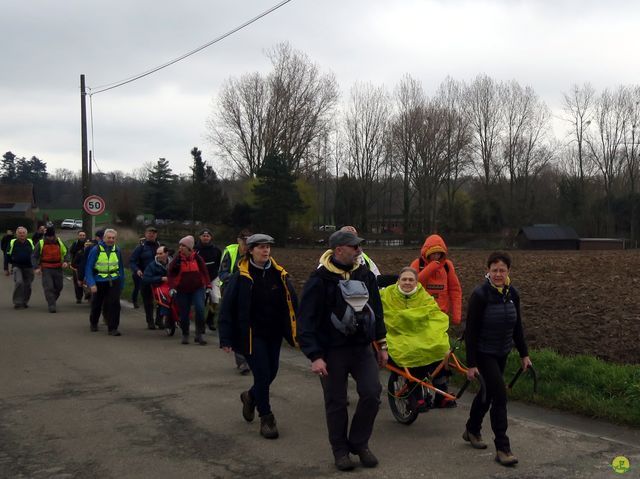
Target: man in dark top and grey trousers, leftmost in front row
x,y
19,252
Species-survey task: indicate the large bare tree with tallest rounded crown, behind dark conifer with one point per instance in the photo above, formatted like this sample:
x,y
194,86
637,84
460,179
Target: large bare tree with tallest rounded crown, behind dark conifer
x,y
282,112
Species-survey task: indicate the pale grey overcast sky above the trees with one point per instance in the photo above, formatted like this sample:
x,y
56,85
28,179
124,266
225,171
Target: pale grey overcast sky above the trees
x,y
46,45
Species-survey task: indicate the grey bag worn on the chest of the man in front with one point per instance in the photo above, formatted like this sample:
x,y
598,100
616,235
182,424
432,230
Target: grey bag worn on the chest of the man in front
x,y
358,317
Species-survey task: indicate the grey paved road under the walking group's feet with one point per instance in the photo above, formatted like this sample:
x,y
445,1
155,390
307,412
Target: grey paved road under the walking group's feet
x,y
81,404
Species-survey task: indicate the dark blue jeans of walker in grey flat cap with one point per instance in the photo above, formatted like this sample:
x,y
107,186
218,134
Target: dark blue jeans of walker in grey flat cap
x,y
264,361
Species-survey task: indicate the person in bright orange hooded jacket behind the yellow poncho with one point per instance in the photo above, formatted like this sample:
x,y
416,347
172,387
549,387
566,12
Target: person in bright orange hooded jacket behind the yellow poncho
x,y
438,276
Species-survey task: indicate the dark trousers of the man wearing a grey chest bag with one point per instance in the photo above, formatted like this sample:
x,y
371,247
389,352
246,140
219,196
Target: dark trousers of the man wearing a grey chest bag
x,y
360,362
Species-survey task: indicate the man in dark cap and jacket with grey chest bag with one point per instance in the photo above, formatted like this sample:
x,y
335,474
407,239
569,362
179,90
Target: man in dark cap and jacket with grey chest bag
x,y
336,336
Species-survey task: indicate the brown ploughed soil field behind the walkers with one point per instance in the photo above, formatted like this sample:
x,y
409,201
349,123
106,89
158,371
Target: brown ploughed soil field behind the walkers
x,y
574,302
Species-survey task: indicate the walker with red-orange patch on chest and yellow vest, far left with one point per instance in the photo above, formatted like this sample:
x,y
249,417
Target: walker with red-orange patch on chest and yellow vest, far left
x,y
49,259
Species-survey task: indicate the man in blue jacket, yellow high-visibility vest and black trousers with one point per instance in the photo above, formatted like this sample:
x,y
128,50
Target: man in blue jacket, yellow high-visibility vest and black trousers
x,y
104,275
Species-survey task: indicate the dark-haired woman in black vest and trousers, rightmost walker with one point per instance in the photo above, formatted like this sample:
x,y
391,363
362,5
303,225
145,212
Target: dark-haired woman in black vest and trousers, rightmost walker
x,y
494,326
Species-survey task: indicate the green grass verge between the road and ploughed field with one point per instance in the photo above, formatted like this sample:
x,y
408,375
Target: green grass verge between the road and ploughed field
x,y
580,384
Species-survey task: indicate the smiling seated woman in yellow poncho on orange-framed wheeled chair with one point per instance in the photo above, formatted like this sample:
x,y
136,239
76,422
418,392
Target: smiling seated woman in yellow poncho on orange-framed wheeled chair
x,y
416,332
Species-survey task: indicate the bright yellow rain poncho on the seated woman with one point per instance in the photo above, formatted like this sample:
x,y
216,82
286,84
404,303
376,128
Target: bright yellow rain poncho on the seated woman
x,y
416,328
